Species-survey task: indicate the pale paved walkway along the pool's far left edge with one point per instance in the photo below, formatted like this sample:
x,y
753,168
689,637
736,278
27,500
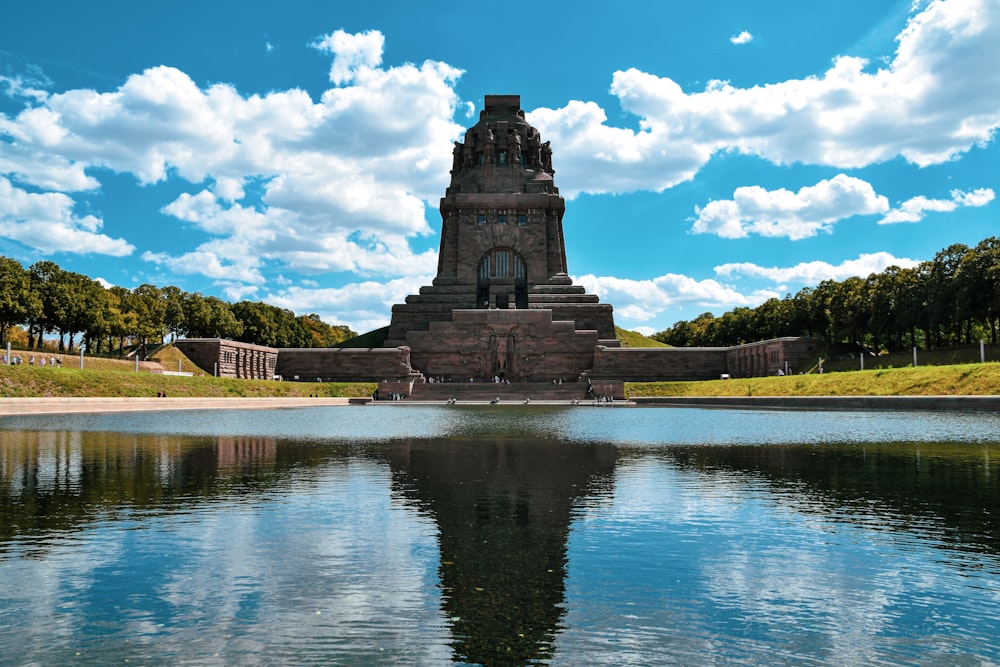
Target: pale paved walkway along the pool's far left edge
x,y
28,406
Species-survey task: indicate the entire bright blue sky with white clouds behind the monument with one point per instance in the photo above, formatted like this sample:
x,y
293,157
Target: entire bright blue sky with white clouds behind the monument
x,y
713,154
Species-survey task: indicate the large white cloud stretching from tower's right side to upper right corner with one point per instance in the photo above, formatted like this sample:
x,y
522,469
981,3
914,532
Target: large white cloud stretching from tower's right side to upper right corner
x,y
937,97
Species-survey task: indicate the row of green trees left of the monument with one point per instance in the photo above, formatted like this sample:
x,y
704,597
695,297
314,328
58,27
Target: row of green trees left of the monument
x,y
46,300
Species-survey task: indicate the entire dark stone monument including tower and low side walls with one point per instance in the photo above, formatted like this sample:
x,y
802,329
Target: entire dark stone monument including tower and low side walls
x,y
502,305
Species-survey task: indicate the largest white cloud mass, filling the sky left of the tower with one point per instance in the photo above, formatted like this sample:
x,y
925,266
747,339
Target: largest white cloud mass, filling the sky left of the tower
x,y
339,183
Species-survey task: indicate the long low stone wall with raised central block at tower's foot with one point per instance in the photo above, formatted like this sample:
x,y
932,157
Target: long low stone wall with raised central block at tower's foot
x,y
531,346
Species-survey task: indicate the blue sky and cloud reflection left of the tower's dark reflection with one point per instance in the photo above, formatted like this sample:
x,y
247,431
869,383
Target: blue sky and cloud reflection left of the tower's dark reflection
x,y
268,579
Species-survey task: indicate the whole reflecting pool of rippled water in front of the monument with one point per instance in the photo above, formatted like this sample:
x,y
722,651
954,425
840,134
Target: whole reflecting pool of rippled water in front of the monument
x,y
500,535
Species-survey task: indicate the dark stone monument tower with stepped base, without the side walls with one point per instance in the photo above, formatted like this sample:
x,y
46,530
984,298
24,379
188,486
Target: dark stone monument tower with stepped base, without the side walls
x,y
502,304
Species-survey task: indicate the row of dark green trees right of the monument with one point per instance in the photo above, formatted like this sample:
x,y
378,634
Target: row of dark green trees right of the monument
x,y
950,300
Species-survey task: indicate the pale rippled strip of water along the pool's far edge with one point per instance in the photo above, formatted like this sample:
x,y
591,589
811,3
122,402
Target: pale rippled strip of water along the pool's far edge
x,y
648,426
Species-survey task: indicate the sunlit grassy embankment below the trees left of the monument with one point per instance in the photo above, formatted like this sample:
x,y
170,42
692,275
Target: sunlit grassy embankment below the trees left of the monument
x,y
111,377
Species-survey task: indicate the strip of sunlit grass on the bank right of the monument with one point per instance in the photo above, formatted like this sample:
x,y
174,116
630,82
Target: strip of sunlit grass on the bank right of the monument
x,y
965,379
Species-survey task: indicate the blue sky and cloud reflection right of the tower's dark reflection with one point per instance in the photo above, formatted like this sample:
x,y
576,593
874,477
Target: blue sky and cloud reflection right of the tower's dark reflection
x,y
721,568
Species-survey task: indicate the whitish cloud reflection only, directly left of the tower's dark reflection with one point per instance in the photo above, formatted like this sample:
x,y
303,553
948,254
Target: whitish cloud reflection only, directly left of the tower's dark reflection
x,y
306,578
